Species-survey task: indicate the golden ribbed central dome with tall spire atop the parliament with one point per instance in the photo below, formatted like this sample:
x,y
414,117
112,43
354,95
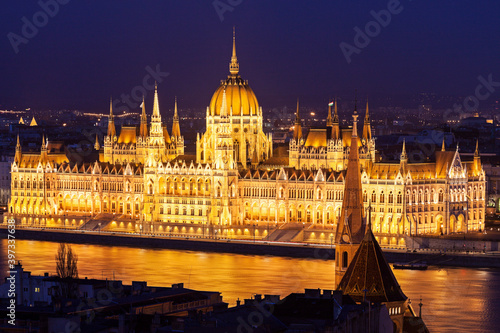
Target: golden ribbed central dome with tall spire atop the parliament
x,y
239,95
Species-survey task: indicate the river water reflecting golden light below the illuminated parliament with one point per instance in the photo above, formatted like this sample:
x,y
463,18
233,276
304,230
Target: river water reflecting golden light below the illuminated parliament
x,y
454,299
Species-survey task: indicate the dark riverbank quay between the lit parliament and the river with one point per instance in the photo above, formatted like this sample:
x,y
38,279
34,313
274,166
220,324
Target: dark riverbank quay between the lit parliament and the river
x,y
433,257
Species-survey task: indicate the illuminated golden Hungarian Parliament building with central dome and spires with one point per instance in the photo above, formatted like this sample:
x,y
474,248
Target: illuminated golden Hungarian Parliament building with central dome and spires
x,y
143,181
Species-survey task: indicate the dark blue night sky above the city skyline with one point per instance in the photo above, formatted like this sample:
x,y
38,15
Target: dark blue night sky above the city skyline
x,y
93,49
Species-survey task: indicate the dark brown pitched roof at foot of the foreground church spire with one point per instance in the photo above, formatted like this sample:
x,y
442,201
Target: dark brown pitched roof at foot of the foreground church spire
x,y
370,271
